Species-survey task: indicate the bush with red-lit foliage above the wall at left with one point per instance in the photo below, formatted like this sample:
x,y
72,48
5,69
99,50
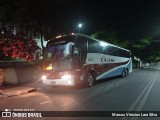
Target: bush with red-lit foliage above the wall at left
x,y
17,46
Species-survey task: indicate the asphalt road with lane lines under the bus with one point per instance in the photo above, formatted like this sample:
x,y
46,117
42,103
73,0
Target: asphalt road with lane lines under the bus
x,y
137,92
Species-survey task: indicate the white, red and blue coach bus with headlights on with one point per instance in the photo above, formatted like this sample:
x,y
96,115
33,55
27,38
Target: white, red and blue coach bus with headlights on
x,y
76,58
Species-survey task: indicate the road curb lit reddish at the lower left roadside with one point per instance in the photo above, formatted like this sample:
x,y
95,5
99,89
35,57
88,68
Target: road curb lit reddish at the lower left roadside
x,y
16,93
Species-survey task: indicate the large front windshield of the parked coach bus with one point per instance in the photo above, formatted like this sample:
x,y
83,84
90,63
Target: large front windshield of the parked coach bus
x,y
59,56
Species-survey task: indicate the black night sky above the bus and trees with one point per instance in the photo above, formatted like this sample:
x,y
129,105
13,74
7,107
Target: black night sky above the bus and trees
x,y
132,19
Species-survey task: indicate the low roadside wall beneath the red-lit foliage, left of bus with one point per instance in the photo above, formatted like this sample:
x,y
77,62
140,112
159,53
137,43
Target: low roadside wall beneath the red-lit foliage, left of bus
x,y
19,75
